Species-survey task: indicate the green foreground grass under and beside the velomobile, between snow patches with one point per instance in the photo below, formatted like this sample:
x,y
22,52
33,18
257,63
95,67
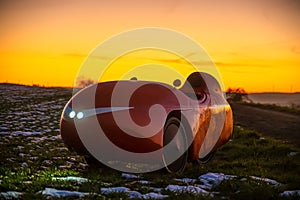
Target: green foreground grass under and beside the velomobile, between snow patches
x,y
247,154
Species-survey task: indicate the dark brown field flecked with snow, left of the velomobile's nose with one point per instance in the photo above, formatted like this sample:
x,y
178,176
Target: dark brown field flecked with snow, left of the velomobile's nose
x,y
30,110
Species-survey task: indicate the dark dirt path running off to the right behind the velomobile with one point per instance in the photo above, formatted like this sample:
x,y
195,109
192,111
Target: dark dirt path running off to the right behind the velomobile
x,y
268,122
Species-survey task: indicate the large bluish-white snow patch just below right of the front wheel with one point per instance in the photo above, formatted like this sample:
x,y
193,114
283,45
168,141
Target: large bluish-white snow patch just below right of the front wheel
x,y
212,179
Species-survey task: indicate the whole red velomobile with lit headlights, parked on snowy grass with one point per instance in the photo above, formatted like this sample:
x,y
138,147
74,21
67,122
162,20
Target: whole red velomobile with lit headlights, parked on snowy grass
x,y
188,123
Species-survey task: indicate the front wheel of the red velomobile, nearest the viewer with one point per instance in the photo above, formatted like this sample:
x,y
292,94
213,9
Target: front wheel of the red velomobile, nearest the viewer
x,y
175,134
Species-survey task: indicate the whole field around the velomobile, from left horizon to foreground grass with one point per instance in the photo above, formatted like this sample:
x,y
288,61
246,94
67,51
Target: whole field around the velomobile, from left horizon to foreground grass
x,y
32,156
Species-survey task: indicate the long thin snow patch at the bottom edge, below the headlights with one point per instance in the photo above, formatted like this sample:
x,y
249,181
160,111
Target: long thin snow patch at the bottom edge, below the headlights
x,y
51,192
